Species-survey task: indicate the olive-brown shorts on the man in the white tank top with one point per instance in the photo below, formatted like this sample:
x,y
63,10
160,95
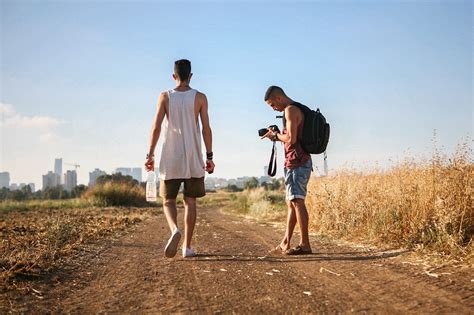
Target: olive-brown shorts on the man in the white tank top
x,y
193,188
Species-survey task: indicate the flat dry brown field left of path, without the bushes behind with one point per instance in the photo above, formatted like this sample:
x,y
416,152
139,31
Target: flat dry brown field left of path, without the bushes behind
x,y
38,240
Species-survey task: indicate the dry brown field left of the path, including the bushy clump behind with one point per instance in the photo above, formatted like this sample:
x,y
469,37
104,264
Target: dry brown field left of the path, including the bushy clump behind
x,y
38,235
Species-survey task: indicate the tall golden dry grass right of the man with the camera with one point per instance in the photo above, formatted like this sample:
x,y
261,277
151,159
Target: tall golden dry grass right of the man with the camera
x,y
427,204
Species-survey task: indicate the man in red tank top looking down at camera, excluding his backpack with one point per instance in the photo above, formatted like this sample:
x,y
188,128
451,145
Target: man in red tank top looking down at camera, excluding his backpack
x,y
298,166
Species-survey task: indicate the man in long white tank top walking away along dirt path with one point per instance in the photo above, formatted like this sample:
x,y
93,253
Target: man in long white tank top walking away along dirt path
x,y
181,159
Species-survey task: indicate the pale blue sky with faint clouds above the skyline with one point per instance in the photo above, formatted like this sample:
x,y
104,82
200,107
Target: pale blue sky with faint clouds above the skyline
x,y
80,79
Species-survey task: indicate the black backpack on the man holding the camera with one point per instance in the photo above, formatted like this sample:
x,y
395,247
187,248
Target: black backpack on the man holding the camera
x,y
315,136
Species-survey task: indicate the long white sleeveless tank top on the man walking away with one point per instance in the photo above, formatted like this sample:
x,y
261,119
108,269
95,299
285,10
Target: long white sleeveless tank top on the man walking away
x,y
181,156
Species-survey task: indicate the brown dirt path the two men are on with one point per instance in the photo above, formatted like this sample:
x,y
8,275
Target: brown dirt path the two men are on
x,y
234,274
